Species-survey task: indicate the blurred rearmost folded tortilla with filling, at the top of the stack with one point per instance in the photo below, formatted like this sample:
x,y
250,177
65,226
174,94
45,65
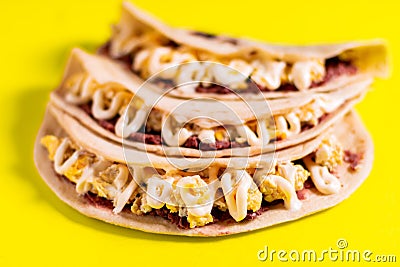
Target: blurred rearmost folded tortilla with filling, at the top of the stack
x,y
148,46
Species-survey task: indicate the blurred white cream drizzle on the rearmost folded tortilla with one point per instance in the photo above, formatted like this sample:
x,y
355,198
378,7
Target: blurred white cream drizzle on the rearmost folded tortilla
x,y
270,74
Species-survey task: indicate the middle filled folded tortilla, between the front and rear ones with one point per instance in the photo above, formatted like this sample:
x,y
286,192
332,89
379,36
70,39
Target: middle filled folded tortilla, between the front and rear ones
x,y
99,93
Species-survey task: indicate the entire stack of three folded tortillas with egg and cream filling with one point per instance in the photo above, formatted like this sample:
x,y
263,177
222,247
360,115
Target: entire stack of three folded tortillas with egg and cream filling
x,y
180,132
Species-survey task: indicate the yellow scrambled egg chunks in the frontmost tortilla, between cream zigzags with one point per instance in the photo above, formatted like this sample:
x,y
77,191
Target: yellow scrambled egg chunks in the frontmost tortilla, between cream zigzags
x,y
105,183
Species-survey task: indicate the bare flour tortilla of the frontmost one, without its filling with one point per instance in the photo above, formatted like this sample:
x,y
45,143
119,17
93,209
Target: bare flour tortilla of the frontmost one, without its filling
x,y
349,132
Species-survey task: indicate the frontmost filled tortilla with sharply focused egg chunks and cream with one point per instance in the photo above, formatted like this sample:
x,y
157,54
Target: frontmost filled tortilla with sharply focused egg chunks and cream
x,y
228,196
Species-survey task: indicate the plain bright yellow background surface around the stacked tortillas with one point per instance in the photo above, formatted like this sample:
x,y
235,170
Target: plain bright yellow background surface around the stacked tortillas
x,y
37,229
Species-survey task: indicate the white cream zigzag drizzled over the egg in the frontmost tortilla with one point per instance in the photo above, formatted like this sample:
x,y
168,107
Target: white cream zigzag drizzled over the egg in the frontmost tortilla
x,y
197,195
